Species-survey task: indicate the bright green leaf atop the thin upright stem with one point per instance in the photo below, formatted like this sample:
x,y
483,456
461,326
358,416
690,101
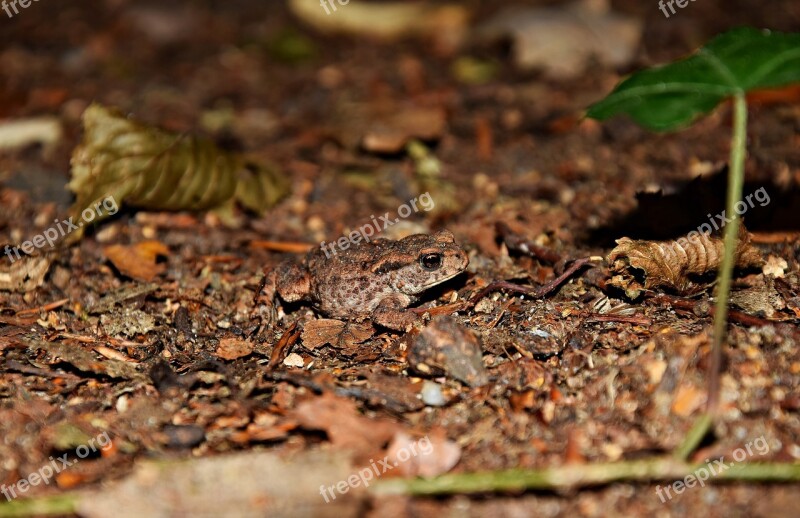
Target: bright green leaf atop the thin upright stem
x,y
673,95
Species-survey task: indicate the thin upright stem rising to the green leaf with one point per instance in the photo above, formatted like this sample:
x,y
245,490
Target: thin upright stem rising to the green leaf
x,y
735,183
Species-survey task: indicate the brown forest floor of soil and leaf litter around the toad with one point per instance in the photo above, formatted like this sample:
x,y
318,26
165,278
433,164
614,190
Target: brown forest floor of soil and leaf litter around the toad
x,y
148,337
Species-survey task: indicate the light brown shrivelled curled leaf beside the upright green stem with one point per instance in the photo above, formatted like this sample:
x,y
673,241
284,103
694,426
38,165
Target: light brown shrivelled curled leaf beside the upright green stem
x,y
671,263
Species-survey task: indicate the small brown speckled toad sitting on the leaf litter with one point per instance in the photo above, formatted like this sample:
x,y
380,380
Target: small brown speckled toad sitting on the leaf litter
x,y
376,279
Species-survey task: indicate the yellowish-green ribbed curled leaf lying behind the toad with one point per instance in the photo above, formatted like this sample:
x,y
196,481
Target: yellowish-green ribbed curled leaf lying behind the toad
x,y
150,168
